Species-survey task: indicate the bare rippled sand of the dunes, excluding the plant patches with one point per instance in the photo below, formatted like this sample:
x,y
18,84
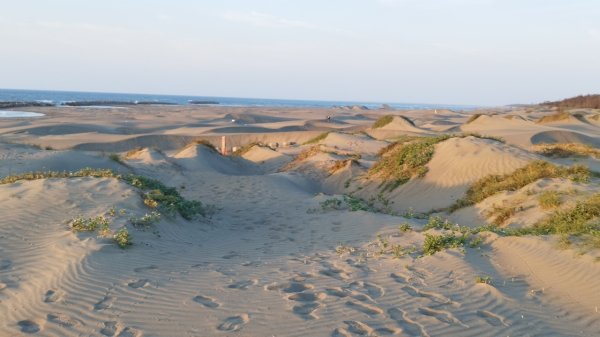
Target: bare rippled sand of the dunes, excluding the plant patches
x,y
265,263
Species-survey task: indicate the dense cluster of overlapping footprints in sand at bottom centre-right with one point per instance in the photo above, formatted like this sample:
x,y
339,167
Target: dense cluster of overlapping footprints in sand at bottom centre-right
x,y
363,296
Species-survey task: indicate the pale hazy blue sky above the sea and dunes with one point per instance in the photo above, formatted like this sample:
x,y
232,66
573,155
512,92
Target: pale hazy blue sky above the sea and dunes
x,y
485,52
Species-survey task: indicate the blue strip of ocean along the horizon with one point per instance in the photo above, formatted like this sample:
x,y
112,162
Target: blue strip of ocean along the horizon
x,y
60,97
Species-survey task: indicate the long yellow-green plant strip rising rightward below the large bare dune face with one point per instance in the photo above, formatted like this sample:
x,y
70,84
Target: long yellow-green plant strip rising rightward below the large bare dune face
x,y
521,177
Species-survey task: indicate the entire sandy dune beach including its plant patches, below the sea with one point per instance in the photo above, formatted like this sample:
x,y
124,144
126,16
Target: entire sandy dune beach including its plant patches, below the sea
x,y
307,227
